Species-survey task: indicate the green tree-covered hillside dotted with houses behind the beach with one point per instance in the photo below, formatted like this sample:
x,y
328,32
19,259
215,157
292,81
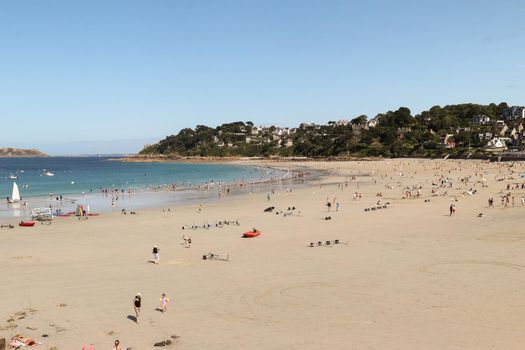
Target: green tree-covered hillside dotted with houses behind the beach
x,y
440,130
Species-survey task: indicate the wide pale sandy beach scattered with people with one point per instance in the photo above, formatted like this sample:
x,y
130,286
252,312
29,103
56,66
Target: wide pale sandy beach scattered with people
x,y
411,276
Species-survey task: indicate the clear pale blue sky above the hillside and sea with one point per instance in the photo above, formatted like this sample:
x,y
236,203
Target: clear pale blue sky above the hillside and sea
x,y
97,71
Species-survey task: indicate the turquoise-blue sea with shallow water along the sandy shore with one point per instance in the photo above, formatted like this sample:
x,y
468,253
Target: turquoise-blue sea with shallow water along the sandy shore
x,y
63,183
